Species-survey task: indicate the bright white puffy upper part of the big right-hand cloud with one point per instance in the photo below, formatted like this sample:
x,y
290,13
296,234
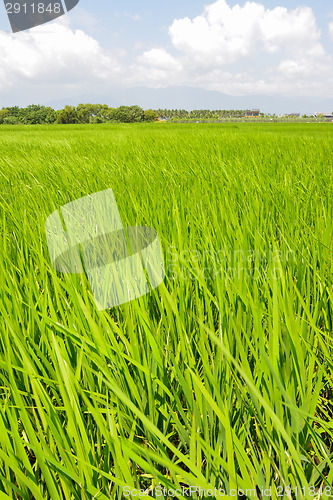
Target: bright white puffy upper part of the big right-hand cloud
x,y
224,34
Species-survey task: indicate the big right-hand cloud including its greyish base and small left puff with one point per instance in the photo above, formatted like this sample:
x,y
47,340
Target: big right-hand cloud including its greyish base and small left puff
x,y
282,44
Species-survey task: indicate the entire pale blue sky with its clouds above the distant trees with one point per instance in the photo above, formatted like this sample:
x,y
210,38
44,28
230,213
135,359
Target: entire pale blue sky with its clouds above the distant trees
x,y
225,53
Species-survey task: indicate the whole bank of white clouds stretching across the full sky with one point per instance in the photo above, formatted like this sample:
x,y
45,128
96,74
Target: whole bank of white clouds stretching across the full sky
x,y
239,50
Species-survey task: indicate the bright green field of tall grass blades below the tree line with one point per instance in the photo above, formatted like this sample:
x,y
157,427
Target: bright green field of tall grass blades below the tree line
x,y
220,378
